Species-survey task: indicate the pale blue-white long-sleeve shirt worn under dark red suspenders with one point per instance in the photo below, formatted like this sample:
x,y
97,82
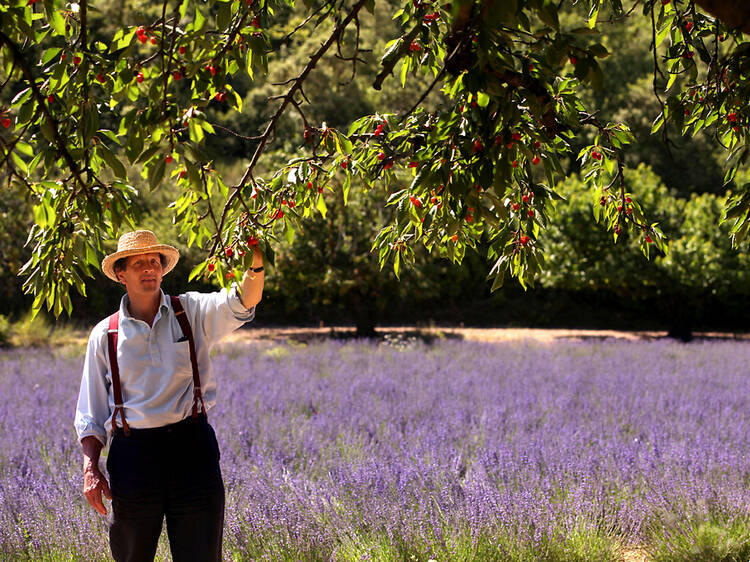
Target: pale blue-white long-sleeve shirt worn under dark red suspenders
x,y
155,371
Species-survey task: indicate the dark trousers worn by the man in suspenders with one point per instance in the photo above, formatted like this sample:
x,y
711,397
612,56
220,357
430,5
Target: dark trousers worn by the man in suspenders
x,y
171,472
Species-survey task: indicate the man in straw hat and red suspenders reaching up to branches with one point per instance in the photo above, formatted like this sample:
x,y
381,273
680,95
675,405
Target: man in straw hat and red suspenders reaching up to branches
x,y
150,395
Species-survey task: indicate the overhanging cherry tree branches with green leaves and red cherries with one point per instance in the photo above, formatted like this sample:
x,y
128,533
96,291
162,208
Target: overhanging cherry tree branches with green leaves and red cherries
x,y
483,166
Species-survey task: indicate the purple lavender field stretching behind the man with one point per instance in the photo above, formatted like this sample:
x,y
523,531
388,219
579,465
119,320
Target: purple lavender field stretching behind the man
x,y
455,451
